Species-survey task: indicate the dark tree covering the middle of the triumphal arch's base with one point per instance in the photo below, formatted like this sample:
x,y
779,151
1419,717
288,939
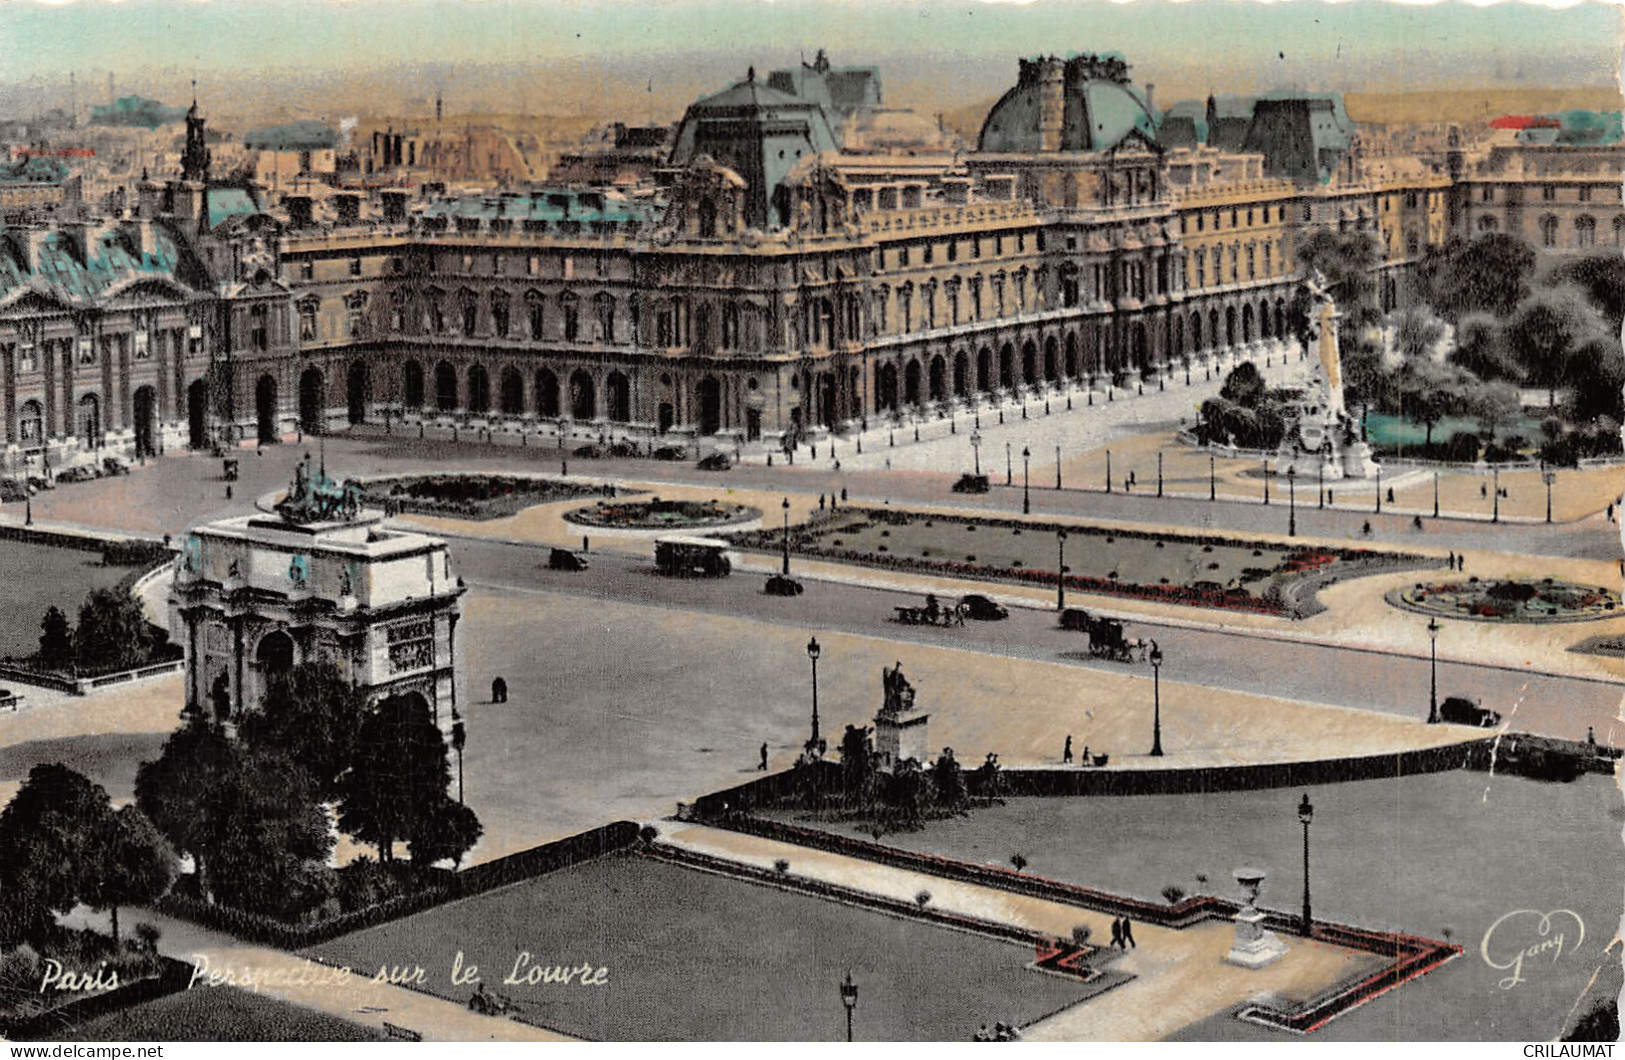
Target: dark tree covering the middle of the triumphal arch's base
x,y
313,715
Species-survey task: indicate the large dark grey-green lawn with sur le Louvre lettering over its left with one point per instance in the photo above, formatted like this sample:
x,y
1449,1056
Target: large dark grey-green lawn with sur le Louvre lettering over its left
x,y
696,957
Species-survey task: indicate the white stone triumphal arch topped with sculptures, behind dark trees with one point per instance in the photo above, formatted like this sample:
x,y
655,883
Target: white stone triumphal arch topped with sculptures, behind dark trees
x,y
316,578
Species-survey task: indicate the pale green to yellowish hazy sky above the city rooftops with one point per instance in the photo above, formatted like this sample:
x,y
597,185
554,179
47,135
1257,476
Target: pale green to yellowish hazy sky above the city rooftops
x,y
968,46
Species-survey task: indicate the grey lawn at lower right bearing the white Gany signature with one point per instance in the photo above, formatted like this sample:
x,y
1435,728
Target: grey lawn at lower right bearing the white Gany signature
x,y
1444,854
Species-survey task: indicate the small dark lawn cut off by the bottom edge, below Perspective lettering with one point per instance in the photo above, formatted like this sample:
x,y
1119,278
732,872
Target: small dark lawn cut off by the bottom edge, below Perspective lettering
x,y
217,1015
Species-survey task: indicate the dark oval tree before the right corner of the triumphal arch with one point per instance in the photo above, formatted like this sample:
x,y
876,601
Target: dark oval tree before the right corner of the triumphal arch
x,y
401,773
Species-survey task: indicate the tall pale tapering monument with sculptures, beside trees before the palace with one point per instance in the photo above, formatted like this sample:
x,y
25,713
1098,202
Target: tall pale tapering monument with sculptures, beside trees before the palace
x,y
1324,441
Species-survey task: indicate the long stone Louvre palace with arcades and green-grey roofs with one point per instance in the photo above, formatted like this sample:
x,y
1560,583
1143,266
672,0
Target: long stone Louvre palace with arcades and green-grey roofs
x,y
765,287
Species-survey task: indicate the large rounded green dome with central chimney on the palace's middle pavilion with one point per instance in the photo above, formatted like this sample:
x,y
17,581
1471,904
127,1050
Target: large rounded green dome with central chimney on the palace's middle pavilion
x,y
1088,110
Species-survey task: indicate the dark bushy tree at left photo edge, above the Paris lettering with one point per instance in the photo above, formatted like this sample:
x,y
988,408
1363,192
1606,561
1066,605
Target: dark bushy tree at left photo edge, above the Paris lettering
x,y
50,851
